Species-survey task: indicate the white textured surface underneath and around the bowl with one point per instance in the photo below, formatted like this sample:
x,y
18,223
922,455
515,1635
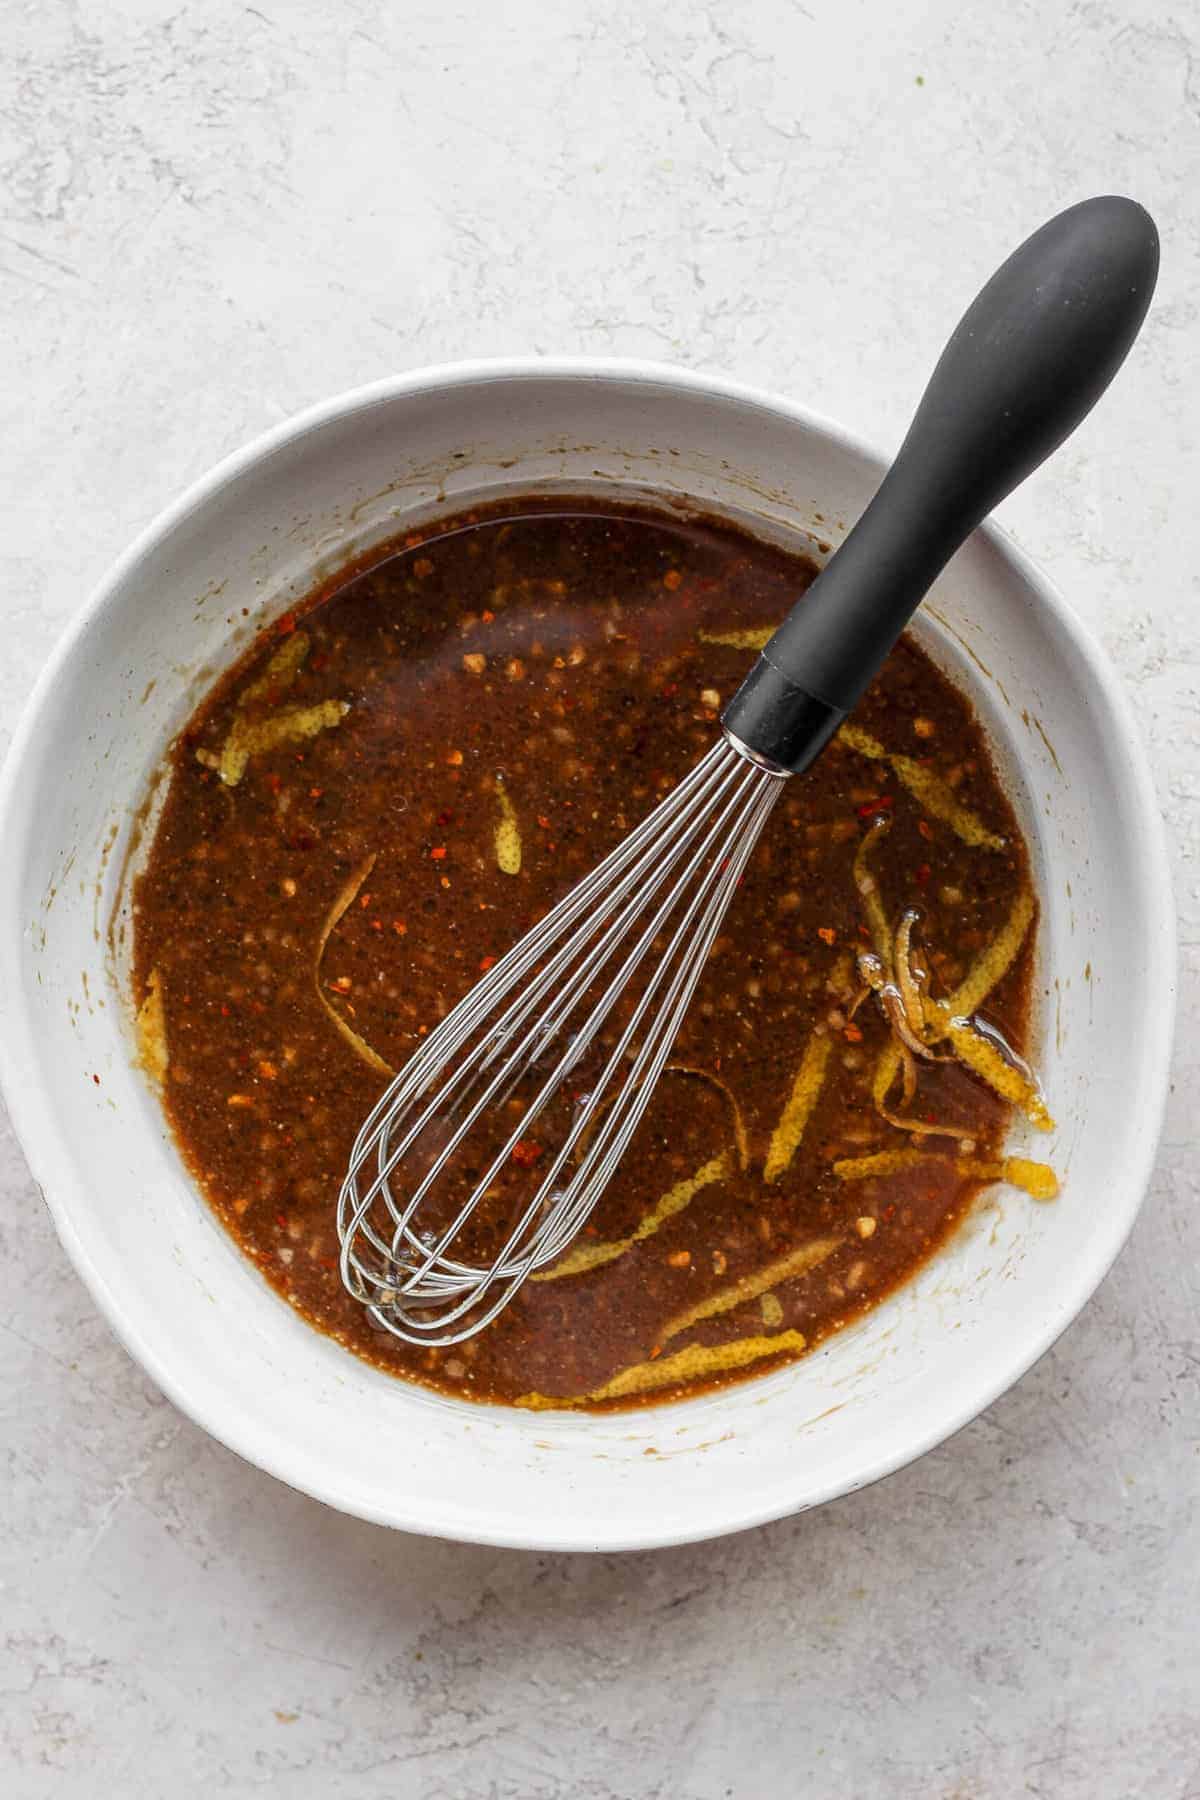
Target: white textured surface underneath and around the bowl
x,y
215,215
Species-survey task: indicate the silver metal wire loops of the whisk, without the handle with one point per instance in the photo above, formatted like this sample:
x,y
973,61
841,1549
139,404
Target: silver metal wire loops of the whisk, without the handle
x,y
415,1279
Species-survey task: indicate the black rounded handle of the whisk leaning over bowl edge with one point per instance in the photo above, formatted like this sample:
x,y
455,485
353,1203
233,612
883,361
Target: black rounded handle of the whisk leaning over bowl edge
x,y
1026,364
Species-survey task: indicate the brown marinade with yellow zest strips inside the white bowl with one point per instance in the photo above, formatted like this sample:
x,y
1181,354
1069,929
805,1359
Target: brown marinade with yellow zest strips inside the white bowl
x,y
409,771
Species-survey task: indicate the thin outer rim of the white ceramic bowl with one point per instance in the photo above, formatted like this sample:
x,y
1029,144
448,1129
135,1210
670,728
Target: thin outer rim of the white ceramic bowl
x,y
40,1135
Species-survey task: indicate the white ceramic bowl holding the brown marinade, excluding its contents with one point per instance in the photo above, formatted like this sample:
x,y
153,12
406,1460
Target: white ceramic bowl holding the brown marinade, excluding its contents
x,y
193,1311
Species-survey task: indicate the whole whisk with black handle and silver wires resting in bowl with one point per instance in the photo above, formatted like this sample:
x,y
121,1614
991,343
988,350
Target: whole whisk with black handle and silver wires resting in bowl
x,y
451,1203
